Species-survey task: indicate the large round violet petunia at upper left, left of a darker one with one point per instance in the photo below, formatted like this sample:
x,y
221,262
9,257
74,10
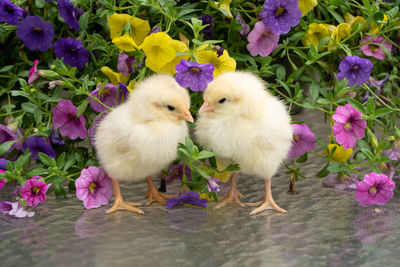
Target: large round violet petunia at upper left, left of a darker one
x,y
35,33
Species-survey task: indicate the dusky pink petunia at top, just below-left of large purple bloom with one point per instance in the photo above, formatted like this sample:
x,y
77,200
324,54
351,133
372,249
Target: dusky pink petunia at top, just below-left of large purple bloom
x,y
261,40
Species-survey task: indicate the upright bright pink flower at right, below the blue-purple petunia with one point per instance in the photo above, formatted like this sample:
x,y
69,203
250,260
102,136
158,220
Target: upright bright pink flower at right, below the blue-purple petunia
x,y
348,126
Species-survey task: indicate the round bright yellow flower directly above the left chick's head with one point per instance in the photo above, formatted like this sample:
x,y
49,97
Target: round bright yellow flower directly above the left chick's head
x,y
159,50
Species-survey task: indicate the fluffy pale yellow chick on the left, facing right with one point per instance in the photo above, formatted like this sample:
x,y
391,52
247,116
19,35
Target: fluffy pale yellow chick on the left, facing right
x,y
140,137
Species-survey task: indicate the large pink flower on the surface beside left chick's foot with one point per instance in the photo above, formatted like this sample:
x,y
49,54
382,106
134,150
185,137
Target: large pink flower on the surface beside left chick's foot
x,y
94,187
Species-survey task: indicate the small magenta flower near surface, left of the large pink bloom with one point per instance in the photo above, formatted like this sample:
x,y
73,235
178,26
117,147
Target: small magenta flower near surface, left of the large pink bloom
x,y
34,191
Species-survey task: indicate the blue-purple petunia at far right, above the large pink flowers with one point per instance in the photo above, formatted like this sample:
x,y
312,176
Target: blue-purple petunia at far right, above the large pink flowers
x,y
357,70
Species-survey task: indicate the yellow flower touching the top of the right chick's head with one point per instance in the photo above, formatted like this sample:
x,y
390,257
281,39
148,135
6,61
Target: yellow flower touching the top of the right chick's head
x,y
221,63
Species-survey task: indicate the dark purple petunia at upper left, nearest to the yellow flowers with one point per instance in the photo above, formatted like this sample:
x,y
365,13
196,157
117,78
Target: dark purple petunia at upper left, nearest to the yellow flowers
x,y
72,51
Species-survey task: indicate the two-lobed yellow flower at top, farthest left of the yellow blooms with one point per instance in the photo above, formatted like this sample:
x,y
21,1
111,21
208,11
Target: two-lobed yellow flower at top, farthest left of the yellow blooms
x,y
139,28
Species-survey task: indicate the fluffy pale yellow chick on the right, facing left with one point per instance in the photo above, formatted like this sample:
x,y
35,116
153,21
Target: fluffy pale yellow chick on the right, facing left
x,y
241,122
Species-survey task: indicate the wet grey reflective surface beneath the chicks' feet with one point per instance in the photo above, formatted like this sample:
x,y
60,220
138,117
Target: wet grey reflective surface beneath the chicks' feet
x,y
324,227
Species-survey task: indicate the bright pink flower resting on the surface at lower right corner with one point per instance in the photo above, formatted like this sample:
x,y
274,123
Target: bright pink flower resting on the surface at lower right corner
x,y
375,189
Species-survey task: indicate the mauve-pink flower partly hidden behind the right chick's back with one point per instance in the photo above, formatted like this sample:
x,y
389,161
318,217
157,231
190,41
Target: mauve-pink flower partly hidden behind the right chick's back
x,y
303,140
